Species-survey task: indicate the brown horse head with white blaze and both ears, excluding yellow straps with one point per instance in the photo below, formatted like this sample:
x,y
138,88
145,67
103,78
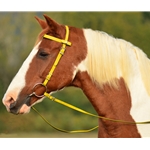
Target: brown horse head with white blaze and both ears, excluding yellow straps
x,y
26,89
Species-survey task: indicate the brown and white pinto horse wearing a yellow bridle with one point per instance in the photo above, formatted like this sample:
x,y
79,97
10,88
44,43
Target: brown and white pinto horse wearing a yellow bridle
x,y
112,73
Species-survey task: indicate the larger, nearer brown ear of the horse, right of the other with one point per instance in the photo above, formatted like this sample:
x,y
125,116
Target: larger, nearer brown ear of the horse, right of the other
x,y
51,23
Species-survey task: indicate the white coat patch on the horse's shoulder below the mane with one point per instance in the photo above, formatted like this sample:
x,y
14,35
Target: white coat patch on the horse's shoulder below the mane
x,y
140,110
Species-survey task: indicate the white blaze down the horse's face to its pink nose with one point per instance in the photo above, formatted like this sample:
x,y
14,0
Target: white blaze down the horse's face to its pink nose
x,y
18,82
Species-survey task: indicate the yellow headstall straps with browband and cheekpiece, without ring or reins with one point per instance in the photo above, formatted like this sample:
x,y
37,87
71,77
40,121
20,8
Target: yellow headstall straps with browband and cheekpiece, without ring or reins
x,y
60,54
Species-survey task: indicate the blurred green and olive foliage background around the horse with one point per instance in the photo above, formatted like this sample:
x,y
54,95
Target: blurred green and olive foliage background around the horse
x,y
18,32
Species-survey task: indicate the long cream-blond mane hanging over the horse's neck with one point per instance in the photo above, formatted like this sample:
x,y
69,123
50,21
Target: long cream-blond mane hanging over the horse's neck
x,y
110,58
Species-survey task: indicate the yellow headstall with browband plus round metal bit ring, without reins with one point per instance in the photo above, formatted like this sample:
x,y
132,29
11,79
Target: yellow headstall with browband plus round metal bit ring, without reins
x,y
65,43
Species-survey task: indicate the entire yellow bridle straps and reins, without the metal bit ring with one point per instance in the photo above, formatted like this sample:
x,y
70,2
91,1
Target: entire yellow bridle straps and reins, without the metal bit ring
x,y
48,77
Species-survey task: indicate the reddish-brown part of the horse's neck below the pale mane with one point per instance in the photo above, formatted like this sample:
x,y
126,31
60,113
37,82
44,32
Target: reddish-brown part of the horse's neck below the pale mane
x,y
108,102
